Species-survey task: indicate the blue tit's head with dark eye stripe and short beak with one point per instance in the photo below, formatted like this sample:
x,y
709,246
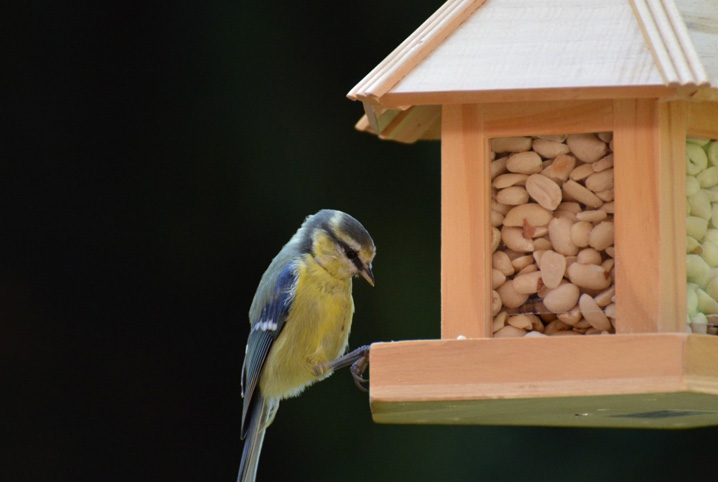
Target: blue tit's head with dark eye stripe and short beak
x,y
340,244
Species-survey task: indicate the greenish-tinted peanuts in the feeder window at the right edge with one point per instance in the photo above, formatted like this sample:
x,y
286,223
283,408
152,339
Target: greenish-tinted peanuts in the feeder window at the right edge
x,y
702,235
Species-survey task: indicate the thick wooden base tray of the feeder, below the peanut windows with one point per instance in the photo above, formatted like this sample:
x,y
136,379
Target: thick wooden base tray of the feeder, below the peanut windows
x,y
616,380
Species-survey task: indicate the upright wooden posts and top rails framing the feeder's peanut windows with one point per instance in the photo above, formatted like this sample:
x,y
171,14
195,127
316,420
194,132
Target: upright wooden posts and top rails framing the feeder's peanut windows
x,y
649,145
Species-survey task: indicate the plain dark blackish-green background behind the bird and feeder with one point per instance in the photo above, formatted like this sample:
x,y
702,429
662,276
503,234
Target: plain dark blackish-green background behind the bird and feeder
x,y
156,157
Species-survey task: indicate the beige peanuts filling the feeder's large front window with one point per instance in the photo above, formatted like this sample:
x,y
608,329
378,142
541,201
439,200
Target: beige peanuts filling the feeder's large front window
x,y
552,235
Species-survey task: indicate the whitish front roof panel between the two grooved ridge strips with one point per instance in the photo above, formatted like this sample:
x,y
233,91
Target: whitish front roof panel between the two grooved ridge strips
x,y
562,43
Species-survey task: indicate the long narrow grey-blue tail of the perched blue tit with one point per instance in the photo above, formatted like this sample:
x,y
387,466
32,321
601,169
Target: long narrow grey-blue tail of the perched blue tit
x,y
260,417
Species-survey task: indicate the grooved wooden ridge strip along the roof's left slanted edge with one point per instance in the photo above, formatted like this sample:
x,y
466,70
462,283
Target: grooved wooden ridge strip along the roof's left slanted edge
x,y
413,50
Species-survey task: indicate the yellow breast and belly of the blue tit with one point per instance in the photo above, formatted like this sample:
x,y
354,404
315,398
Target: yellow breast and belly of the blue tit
x,y
316,331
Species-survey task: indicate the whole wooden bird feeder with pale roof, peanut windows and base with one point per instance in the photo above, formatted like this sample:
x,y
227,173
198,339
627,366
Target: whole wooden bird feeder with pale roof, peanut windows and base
x,y
579,213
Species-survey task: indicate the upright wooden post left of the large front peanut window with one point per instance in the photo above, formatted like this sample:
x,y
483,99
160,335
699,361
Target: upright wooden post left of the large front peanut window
x,y
465,224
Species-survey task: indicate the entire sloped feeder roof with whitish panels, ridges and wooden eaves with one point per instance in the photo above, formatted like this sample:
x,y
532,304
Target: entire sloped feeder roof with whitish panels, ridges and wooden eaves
x,y
520,50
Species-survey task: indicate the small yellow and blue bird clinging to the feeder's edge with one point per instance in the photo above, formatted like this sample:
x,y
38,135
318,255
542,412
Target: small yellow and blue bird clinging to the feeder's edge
x,y
300,320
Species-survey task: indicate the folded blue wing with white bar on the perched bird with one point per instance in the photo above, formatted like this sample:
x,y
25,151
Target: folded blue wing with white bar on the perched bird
x,y
263,333
